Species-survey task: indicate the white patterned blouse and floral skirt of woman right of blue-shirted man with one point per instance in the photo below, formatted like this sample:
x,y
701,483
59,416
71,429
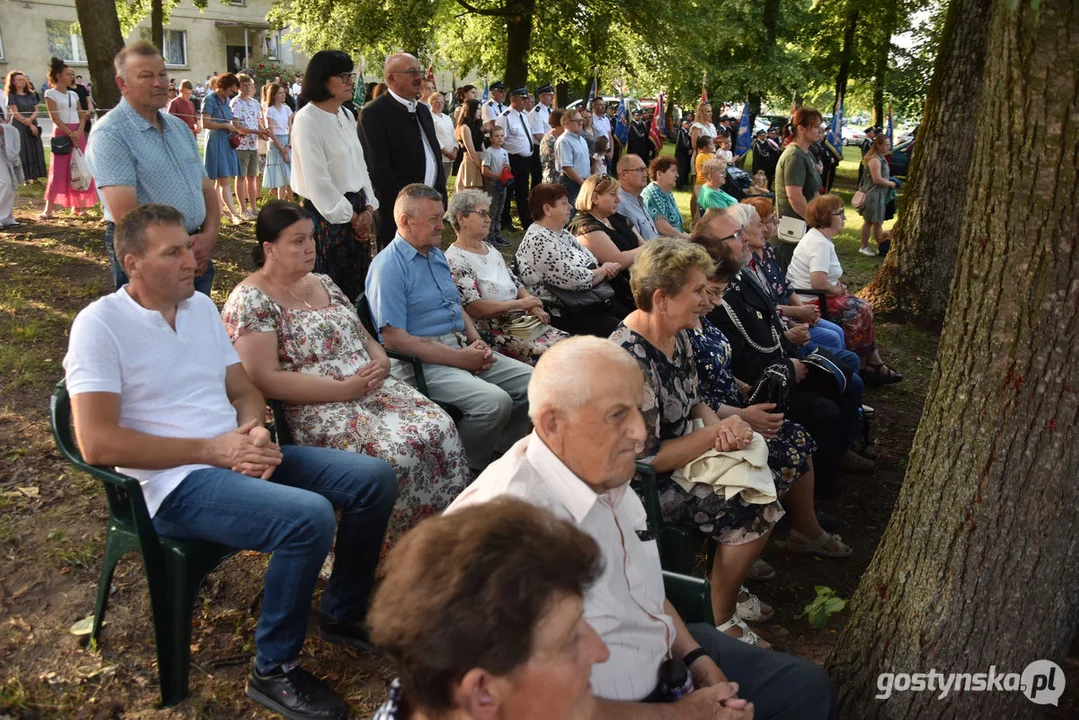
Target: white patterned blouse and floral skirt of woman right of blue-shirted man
x,y
487,278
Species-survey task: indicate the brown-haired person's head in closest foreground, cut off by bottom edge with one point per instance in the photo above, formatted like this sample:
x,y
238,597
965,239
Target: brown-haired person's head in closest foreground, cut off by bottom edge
x,y
482,614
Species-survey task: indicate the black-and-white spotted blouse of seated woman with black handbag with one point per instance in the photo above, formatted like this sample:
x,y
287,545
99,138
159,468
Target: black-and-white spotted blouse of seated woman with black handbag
x,y
556,259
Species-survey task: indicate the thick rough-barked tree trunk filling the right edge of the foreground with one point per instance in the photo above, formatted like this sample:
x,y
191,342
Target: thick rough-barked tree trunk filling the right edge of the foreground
x,y
978,566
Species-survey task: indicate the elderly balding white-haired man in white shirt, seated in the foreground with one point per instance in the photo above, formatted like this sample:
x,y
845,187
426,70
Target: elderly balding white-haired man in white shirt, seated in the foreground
x,y
584,402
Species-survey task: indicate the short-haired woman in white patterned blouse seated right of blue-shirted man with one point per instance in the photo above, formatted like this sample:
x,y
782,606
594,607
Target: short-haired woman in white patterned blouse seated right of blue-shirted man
x,y
508,318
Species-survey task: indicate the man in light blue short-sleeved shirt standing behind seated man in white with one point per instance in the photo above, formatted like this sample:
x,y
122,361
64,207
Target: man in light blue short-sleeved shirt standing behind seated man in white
x,y
141,155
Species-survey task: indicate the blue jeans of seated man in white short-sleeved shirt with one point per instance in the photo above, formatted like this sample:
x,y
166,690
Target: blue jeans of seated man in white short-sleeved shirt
x,y
292,517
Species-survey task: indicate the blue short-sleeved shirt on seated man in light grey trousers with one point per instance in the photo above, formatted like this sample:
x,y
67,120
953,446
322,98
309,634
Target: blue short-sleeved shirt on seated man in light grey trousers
x,y
414,292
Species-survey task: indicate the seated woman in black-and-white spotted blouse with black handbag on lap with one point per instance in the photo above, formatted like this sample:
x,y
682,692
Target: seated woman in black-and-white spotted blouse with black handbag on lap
x,y
551,257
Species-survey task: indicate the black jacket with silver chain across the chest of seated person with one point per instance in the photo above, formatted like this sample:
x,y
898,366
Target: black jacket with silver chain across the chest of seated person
x,y
757,315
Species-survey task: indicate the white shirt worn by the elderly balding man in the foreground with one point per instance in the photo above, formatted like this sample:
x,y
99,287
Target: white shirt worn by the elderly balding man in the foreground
x,y
626,604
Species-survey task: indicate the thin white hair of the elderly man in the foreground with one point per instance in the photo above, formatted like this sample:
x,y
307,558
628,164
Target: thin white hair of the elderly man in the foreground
x,y
565,376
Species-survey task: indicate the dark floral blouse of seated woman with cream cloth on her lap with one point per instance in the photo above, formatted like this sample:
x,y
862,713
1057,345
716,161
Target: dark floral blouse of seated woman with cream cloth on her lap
x,y
672,390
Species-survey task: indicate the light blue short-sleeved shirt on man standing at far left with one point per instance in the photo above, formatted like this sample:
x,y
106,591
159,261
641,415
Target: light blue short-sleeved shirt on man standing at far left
x,y
163,166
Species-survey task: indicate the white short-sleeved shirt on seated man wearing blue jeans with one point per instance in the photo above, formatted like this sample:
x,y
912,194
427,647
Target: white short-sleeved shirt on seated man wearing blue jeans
x,y
171,383
